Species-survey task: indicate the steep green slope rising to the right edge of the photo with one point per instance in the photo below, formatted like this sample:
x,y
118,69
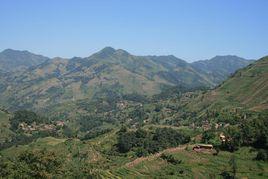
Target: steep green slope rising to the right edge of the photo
x,y
246,88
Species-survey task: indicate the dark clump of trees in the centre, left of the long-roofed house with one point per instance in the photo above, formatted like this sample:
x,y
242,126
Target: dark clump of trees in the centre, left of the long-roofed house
x,y
144,142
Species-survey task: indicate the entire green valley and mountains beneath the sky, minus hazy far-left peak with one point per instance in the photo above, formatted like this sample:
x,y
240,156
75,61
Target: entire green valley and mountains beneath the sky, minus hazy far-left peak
x,y
117,115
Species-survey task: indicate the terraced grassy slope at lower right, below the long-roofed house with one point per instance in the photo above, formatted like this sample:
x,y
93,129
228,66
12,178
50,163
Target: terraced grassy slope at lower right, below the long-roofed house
x,y
196,165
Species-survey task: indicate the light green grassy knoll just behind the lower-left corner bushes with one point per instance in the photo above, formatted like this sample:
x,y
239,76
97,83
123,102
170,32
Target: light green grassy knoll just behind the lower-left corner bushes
x,y
73,153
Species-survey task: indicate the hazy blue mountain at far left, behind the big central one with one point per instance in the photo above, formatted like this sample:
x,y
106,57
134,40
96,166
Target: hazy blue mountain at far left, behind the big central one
x,y
11,60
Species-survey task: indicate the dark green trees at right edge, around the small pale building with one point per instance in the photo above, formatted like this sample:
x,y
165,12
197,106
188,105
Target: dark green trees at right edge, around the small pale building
x,y
246,132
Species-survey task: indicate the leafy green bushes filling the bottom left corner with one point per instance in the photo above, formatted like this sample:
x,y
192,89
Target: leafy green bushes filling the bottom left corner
x,y
32,164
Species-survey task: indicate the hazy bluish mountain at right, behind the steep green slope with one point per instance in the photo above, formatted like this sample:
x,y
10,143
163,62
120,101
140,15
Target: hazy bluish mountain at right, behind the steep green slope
x,y
219,68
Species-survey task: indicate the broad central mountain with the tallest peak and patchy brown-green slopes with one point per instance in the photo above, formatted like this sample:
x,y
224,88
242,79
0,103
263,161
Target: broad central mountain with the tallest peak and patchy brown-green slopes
x,y
107,72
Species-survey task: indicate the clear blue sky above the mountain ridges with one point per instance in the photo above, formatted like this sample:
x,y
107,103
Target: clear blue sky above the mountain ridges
x,y
189,29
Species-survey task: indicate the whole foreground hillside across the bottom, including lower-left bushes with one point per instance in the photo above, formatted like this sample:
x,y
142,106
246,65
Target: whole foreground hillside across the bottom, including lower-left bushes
x,y
96,158
